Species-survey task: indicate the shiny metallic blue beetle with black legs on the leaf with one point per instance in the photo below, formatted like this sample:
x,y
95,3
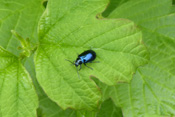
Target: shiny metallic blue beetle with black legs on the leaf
x,y
86,57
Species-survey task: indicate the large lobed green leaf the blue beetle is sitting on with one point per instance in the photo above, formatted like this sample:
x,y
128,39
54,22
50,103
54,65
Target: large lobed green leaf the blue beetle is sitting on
x,y
66,31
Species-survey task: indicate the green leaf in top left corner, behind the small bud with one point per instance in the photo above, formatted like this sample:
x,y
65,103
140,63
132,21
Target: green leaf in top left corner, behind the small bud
x,y
21,16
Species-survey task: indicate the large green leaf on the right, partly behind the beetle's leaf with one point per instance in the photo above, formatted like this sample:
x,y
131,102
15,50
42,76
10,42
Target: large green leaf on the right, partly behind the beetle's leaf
x,y
151,92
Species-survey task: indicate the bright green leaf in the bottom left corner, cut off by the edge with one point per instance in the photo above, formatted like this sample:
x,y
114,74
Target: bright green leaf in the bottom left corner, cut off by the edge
x,y
17,94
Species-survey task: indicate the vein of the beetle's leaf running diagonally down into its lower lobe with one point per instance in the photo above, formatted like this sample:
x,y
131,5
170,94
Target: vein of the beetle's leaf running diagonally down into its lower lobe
x,y
58,72
